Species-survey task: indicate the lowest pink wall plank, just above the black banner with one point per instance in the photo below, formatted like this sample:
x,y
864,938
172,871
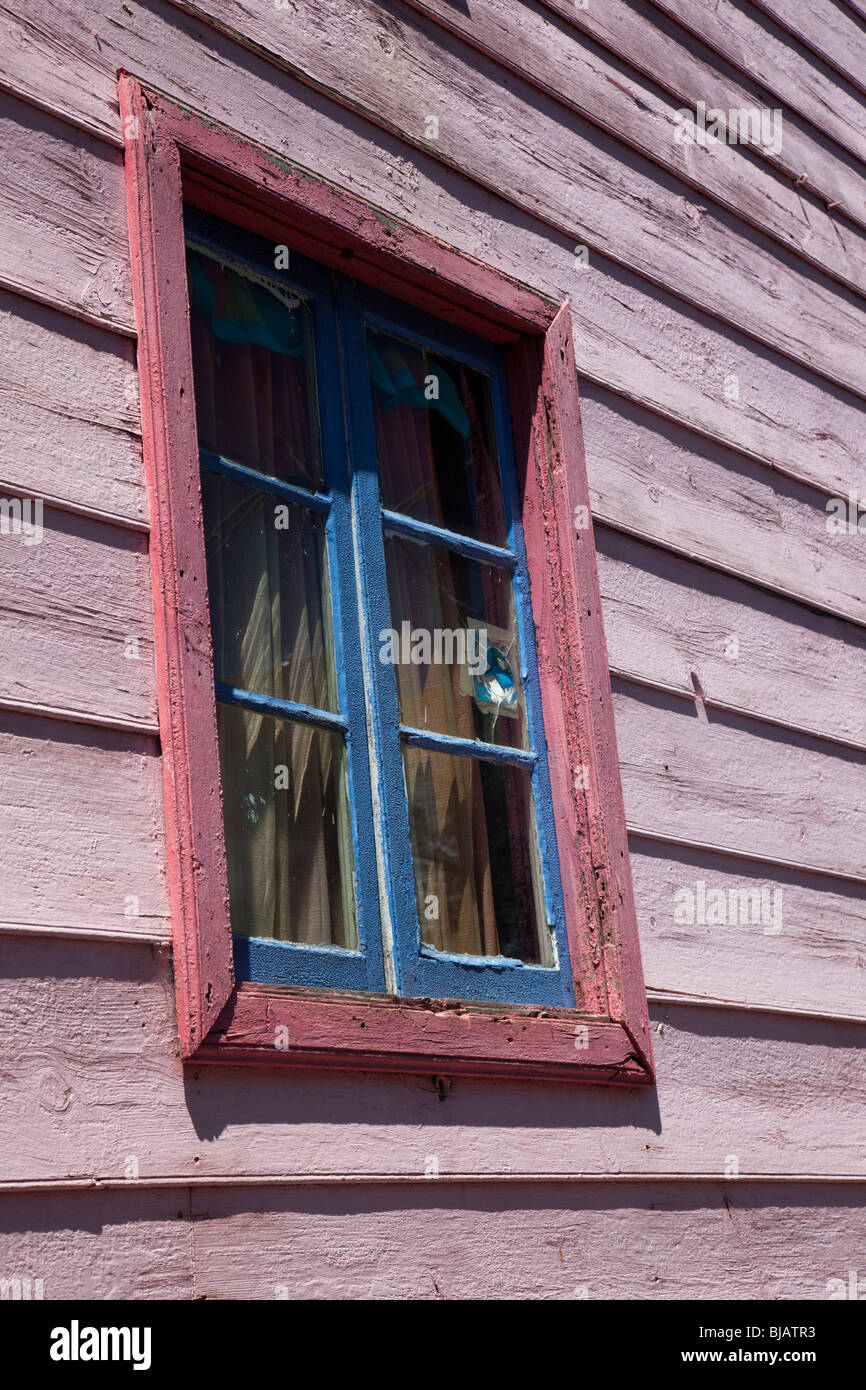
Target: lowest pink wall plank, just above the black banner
x,y
430,1242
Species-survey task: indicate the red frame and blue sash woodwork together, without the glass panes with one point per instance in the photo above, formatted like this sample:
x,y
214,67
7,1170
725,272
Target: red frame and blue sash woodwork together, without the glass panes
x,y
579,1013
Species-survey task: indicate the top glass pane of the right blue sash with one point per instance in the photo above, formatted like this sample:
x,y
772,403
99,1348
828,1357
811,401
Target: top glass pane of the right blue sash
x,y
436,440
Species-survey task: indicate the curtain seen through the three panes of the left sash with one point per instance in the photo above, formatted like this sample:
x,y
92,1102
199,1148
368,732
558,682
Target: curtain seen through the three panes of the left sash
x,y
287,832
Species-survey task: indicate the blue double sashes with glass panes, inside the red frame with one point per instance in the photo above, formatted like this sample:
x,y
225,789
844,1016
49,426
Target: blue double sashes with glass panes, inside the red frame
x,y
412,526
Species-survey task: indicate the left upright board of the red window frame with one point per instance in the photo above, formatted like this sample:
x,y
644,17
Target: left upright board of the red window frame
x,y
193,800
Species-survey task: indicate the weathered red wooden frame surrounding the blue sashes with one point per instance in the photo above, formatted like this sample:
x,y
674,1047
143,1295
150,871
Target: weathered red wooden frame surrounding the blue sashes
x,y
176,156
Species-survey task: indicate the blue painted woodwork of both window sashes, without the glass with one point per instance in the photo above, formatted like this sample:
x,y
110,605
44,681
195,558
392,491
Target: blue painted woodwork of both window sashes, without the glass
x,y
391,957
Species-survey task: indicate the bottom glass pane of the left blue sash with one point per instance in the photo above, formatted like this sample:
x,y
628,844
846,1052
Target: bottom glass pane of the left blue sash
x,y
288,833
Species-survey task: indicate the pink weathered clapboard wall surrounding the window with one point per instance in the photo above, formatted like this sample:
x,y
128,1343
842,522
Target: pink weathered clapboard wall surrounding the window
x,y
719,337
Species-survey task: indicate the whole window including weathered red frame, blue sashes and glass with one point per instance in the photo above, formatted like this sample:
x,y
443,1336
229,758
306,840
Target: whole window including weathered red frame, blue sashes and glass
x,y
394,822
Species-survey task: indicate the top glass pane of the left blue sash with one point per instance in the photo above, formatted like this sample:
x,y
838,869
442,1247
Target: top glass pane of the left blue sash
x,y
255,372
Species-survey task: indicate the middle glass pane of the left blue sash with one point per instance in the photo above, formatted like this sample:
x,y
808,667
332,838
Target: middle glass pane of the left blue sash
x,y
268,582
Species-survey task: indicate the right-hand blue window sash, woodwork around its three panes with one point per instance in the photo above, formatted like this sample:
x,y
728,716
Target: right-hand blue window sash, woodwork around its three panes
x,y
420,971
